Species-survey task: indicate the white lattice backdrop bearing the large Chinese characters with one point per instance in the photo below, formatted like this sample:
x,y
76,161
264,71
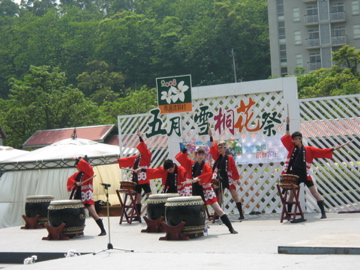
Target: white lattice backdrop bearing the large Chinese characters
x,y
233,111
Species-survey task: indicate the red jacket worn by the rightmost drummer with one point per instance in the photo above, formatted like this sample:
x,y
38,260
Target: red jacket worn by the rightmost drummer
x,y
310,153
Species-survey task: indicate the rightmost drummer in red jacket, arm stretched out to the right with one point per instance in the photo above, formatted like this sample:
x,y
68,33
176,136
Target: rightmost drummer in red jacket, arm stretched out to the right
x,y
299,160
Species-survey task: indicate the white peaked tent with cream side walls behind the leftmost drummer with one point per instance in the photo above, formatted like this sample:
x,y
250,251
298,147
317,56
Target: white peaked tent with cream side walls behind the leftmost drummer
x,y
17,185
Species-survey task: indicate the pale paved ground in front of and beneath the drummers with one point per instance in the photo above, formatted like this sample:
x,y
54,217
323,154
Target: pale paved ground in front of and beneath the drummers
x,y
255,247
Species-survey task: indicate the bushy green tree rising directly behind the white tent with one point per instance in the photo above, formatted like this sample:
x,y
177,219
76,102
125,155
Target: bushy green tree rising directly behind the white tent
x,y
44,101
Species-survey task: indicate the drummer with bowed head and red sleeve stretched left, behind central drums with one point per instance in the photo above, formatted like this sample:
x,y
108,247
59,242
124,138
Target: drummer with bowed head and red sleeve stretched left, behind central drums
x,y
172,177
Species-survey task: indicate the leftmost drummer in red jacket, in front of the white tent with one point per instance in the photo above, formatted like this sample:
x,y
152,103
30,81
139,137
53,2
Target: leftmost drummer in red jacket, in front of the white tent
x,y
81,186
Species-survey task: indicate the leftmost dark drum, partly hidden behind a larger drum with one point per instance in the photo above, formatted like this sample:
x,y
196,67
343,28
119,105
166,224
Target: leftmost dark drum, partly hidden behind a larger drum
x,y
38,205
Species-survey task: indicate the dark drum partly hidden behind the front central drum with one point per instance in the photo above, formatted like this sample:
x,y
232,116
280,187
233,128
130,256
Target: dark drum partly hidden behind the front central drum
x,y
156,204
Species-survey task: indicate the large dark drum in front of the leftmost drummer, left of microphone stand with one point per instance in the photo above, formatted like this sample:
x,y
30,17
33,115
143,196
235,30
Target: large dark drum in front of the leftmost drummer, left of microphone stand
x,y
71,212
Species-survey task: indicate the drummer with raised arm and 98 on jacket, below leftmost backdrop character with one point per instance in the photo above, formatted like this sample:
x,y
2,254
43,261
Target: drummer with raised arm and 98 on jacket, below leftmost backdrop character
x,y
139,161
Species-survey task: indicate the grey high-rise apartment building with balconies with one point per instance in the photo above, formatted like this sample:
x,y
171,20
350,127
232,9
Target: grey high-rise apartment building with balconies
x,y
304,33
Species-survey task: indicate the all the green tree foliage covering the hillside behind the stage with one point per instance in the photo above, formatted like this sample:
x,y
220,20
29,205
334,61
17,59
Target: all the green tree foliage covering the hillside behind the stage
x,y
71,63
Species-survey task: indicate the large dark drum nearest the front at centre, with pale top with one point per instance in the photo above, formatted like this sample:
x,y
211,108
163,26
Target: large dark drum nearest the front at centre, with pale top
x,y
191,210
